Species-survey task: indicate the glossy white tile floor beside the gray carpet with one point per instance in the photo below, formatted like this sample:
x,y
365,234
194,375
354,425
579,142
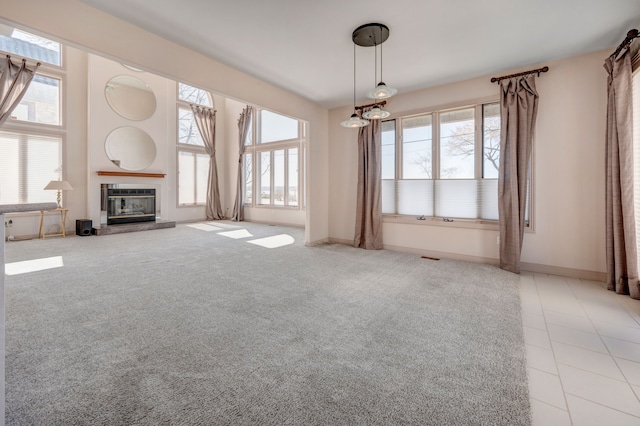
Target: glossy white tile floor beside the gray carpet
x,y
583,352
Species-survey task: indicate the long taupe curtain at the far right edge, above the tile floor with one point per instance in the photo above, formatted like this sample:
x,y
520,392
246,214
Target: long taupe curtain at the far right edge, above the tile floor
x,y
621,250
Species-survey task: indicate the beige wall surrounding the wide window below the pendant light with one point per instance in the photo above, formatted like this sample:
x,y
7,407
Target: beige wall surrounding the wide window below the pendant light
x,y
568,167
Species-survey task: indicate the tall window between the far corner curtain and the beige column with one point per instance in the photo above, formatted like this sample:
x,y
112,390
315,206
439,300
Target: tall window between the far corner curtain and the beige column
x,y
272,156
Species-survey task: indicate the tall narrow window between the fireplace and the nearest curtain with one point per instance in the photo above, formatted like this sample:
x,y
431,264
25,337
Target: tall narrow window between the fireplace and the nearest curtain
x,y
193,161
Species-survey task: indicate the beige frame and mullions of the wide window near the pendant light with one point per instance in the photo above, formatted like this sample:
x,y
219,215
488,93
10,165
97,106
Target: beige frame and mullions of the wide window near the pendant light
x,y
435,112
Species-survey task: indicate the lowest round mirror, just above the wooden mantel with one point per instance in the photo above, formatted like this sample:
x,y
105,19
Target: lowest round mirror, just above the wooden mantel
x,y
130,148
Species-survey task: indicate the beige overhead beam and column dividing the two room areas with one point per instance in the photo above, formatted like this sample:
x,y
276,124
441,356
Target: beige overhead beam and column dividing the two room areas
x,y
74,23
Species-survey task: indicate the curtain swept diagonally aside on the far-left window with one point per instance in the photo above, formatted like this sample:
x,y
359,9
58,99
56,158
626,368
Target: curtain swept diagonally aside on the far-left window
x,y
14,81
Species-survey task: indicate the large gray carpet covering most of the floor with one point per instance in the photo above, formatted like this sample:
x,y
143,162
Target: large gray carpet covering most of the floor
x,y
184,326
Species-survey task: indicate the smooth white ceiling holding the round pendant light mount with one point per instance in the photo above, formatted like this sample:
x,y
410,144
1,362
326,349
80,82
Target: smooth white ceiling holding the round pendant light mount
x,y
305,46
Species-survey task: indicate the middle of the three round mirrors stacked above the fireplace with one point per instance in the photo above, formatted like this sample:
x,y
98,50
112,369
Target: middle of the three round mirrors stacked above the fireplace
x,y
130,97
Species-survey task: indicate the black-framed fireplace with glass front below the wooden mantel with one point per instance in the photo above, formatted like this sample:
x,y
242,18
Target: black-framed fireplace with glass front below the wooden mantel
x,y
130,205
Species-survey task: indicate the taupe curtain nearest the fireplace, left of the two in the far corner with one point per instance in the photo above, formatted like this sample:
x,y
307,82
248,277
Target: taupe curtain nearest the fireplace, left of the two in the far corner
x,y
206,122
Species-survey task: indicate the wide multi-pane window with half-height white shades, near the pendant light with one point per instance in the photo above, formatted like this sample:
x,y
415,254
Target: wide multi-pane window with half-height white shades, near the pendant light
x,y
442,164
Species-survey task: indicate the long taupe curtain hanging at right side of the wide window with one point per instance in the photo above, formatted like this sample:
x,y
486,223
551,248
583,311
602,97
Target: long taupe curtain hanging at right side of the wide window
x,y
518,109
